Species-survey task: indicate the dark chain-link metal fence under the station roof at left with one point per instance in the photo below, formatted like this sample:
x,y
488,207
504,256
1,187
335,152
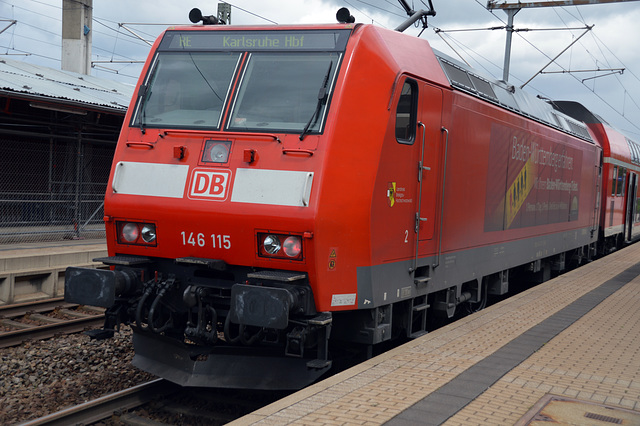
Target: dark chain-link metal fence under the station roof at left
x,y
52,190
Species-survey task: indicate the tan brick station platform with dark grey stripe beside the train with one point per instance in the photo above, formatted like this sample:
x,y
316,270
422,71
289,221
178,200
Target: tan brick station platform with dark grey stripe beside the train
x,y
566,351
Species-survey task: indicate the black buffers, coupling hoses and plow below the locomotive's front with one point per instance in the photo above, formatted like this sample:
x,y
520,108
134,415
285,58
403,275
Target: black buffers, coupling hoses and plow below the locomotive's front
x,y
195,319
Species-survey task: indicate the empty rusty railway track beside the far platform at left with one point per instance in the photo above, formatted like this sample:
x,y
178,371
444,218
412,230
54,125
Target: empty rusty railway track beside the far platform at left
x,y
45,319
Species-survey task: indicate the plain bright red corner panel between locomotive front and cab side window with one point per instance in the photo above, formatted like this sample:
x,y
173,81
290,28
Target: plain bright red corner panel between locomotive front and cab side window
x,y
350,145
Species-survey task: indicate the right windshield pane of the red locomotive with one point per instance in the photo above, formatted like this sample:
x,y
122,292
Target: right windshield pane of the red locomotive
x,y
282,91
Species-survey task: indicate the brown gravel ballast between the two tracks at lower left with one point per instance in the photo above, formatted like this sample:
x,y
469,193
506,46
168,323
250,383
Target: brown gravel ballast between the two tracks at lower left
x,y
45,376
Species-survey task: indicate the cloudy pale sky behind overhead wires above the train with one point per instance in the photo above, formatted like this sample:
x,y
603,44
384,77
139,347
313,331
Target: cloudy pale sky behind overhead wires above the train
x,y
612,44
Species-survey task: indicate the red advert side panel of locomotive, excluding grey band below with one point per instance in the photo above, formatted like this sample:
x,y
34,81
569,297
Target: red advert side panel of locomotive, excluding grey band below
x,y
522,178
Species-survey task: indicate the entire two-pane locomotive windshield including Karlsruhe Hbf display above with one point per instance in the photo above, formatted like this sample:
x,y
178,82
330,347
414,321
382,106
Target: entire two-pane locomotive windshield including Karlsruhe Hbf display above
x,y
241,80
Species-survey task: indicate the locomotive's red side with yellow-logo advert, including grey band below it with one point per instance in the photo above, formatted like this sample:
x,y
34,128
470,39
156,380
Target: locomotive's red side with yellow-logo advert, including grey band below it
x,y
517,192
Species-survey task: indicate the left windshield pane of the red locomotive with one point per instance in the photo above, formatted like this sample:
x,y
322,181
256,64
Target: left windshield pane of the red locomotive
x,y
187,89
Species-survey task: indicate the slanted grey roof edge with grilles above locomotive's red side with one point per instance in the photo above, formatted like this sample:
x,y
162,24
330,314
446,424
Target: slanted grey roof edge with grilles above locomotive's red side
x,y
508,96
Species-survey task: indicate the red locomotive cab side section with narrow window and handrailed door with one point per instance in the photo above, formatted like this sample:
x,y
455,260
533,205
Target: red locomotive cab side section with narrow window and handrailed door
x,y
407,178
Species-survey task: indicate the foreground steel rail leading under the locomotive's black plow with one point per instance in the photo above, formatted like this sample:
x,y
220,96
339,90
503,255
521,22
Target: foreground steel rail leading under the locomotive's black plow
x,y
103,407
